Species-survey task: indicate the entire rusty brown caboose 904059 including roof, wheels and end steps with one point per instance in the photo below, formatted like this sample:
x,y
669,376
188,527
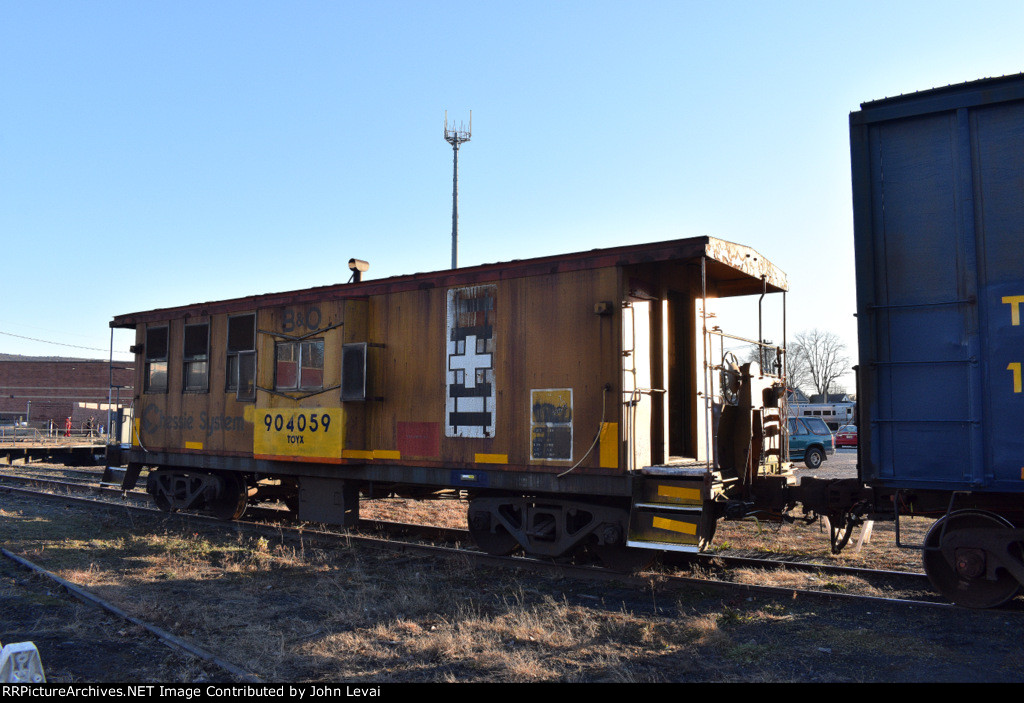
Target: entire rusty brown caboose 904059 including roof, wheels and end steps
x,y
574,400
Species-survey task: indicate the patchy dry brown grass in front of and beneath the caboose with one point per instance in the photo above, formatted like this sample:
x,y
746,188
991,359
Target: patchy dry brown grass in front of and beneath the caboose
x,y
295,610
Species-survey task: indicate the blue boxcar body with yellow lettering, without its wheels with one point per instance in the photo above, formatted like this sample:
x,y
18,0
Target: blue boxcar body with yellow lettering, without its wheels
x,y
938,183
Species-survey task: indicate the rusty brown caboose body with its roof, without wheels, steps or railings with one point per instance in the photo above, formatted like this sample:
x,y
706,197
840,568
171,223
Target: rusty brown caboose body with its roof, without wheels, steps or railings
x,y
551,392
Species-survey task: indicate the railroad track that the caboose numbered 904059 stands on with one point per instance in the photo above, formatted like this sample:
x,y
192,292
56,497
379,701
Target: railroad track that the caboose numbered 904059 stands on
x,y
717,572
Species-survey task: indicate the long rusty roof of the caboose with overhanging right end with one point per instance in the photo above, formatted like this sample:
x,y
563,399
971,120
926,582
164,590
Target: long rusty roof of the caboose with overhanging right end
x,y
735,270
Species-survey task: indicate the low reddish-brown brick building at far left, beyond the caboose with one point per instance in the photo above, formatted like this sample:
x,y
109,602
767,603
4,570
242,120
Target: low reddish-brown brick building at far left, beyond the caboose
x,y
41,390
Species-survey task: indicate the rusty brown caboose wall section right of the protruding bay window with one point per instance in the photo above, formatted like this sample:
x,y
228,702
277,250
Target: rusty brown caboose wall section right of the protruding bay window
x,y
546,337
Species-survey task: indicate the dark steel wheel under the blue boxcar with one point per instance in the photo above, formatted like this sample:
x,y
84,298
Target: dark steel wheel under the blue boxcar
x,y
964,581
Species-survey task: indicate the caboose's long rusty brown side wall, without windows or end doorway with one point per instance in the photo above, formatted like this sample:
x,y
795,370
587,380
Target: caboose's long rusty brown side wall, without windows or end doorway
x,y
548,339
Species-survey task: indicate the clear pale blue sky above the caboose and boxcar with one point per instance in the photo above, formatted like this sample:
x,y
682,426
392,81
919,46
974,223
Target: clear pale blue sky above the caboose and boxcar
x,y
156,154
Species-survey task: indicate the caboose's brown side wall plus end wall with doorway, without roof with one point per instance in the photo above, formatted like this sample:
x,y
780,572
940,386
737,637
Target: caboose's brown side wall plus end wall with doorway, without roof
x,y
559,342
